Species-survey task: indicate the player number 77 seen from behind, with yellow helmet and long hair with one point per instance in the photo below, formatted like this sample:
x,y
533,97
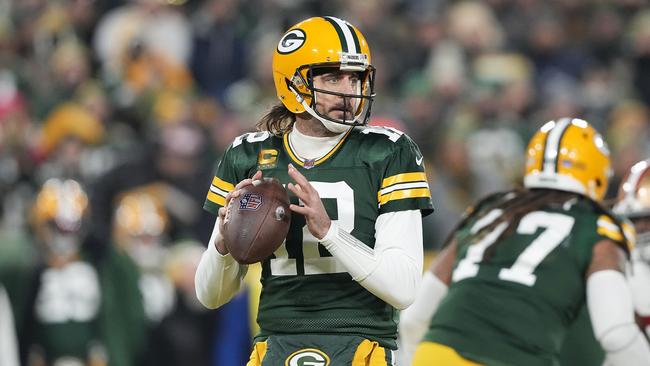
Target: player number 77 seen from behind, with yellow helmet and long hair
x,y
522,264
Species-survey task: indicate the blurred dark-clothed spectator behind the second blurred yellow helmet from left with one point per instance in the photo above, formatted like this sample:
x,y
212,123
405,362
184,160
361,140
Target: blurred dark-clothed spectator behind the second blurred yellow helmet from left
x,y
174,164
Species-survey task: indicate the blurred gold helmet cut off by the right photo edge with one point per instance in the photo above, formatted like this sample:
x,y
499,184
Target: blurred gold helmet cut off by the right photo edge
x,y
634,194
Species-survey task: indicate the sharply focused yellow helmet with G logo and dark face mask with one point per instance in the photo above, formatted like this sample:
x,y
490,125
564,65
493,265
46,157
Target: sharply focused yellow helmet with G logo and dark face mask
x,y
322,42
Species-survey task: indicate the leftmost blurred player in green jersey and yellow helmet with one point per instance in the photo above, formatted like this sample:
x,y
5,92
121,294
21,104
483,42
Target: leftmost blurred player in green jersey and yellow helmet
x,y
62,323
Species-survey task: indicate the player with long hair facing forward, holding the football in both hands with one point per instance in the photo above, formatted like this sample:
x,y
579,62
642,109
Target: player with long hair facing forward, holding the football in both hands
x,y
353,256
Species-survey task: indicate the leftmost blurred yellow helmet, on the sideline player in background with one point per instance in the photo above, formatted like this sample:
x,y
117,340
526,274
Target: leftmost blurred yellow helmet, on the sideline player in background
x,y
63,203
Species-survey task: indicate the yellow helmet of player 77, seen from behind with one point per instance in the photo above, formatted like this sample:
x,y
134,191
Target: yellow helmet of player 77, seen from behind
x,y
568,155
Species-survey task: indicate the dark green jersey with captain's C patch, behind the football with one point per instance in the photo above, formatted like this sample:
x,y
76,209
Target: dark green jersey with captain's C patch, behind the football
x,y
305,290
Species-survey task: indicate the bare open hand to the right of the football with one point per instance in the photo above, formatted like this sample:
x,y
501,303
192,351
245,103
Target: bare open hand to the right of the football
x,y
318,222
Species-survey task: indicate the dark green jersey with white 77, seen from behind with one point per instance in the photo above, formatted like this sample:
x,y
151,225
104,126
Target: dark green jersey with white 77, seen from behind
x,y
511,302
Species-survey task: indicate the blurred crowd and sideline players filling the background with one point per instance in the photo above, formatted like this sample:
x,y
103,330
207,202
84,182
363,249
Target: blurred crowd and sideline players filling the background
x,y
113,115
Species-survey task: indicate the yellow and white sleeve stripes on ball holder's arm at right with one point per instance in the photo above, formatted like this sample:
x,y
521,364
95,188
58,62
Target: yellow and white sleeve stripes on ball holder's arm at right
x,y
405,186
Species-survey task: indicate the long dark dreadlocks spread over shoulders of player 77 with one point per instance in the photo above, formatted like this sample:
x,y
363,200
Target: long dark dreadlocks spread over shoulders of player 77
x,y
515,204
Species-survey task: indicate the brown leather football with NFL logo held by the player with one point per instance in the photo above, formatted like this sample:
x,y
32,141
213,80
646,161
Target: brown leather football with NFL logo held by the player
x,y
257,222
